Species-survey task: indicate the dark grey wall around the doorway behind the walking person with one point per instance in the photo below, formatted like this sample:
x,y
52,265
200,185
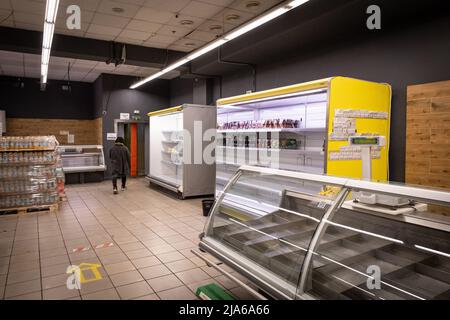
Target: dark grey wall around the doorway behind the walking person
x,y
113,96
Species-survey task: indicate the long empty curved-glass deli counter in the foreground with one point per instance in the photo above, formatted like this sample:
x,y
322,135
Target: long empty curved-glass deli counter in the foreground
x,y
318,239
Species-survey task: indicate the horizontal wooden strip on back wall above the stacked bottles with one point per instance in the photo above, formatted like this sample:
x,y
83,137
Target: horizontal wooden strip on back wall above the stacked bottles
x,y
85,131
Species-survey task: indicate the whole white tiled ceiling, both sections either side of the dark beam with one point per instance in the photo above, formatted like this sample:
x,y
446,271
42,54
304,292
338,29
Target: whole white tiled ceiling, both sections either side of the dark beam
x,y
179,25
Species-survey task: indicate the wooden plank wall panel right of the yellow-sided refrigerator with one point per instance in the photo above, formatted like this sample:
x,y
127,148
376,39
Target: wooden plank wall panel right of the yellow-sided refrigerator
x,y
428,135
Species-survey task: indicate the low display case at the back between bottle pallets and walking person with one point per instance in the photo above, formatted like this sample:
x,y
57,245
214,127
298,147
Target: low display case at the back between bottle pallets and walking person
x,y
83,163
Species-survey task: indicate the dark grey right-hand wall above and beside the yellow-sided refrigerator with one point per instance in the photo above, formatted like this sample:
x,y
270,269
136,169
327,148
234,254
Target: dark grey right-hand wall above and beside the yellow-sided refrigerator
x,y
412,55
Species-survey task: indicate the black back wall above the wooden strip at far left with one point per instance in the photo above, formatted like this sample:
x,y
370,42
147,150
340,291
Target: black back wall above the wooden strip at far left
x,y
53,103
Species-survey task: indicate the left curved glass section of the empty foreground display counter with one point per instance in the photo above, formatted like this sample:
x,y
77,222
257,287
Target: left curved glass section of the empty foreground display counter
x,y
272,224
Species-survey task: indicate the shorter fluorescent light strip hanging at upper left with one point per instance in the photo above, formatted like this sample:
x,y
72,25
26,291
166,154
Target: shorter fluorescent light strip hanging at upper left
x,y
51,10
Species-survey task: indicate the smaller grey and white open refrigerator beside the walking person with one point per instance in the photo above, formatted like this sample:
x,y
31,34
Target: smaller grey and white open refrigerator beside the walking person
x,y
182,149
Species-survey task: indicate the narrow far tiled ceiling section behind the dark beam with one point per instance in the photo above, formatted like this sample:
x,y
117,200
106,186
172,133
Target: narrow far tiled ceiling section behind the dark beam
x,y
29,66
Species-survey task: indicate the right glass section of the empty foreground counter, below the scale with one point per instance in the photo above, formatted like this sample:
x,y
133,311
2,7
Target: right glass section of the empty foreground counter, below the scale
x,y
383,247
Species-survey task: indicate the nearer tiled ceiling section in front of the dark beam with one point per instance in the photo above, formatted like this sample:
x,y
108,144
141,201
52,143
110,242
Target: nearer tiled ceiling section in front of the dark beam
x,y
181,25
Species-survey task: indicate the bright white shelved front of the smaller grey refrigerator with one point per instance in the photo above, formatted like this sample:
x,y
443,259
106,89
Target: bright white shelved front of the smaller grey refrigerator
x,y
166,148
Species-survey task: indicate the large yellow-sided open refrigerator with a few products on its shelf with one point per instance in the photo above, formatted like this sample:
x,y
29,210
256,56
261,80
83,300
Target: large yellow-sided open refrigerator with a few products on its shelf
x,y
304,127
